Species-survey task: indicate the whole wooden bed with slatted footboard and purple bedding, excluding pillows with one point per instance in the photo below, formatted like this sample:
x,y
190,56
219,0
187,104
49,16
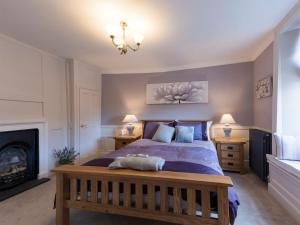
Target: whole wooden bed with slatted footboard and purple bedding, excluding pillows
x,y
191,189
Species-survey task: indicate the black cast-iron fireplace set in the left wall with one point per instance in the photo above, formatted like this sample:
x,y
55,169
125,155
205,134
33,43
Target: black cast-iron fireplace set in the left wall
x,y
19,161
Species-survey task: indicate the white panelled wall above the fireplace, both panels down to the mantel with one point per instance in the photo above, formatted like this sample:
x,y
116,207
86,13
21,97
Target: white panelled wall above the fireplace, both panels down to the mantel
x,y
21,81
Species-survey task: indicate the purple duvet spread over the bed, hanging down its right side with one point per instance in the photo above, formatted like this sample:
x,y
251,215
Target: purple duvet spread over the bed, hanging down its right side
x,y
197,157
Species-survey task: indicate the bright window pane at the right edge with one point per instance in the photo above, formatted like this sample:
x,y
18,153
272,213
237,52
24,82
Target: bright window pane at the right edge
x,y
289,52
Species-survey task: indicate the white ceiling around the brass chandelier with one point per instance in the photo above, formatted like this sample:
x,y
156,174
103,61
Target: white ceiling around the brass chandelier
x,y
178,33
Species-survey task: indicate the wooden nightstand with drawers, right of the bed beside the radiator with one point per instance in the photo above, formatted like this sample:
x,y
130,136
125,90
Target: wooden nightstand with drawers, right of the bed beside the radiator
x,y
231,153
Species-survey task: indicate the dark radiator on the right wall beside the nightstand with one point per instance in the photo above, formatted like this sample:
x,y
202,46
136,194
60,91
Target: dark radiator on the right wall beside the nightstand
x,y
260,145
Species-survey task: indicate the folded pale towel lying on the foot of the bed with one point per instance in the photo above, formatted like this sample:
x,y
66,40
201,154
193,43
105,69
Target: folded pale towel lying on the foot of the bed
x,y
138,162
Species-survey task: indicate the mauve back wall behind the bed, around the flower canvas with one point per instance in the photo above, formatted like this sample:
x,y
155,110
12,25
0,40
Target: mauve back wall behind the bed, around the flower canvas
x,y
230,91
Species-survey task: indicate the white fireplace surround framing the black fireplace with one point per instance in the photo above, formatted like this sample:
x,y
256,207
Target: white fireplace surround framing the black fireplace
x,y
42,126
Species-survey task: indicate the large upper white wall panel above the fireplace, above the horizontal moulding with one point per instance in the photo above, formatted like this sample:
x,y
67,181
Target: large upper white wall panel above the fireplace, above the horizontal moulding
x,y
21,72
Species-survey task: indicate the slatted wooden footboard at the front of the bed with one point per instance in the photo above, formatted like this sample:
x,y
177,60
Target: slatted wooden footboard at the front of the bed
x,y
123,192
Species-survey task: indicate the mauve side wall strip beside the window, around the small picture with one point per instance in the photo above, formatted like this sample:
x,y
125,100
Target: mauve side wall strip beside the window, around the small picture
x,y
263,66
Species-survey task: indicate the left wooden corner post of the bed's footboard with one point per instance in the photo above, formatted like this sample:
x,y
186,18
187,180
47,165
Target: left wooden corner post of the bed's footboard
x,y
62,213
